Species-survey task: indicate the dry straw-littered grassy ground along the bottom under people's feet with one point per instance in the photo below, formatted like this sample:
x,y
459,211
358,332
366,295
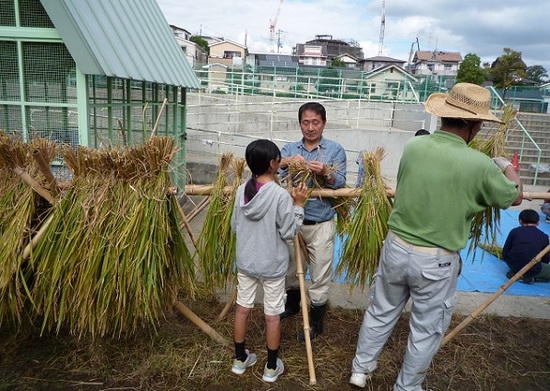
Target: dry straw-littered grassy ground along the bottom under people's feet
x,y
491,354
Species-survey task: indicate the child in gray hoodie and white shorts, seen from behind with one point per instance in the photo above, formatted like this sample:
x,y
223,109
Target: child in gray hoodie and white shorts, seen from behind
x,y
264,217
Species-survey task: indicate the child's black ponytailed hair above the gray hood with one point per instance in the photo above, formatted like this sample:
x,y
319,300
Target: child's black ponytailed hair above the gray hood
x,y
258,155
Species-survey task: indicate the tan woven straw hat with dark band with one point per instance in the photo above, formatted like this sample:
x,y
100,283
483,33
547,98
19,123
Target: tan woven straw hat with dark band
x,y
467,101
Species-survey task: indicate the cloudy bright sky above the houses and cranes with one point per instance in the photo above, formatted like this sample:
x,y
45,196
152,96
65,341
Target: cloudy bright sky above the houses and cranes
x,y
482,27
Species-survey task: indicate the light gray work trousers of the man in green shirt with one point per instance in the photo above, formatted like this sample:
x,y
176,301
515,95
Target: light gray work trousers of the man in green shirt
x,y
426,275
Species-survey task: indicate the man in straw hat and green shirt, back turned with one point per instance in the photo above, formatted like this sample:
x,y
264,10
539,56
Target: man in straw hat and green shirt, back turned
x,y
441,185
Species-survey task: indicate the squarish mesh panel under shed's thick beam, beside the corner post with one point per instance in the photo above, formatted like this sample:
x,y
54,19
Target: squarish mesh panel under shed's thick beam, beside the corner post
x,y
47,69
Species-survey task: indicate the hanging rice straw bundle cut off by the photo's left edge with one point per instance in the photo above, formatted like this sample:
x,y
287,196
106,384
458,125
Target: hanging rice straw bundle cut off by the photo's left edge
x,y
21,211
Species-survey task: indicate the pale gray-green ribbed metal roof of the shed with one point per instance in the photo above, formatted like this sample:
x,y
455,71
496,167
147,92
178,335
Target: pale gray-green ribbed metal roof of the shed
x,y
129,39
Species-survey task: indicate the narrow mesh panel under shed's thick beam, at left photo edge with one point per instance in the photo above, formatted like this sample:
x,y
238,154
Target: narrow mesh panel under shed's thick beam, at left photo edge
x,y
9,75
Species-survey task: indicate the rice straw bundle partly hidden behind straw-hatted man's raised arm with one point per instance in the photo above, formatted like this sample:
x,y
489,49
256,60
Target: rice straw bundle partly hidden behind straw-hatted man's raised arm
x,y
486,223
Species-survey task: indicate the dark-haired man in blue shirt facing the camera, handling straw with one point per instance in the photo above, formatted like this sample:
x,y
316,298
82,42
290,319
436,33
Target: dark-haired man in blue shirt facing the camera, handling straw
x,y
326,161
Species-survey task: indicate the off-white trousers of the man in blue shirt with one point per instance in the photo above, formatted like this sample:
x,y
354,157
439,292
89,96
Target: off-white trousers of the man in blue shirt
x,y
319,239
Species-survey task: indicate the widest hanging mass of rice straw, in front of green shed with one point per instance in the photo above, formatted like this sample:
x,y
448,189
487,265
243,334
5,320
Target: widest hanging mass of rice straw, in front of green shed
x,y
113,256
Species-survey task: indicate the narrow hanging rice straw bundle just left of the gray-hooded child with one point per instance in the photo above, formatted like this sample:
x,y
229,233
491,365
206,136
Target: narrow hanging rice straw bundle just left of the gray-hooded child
x,y
213,236
